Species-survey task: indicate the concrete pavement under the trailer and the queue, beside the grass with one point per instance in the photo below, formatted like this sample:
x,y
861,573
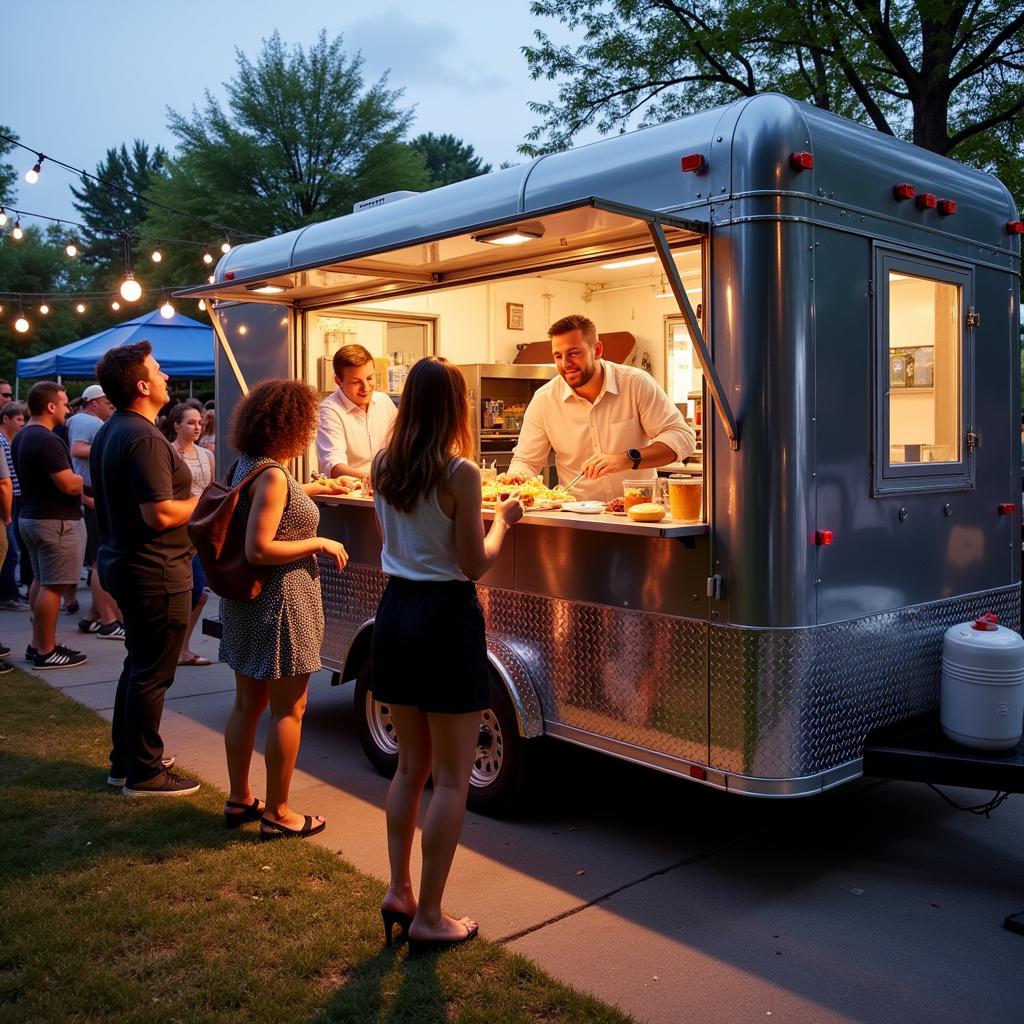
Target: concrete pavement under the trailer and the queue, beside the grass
x,y
674,903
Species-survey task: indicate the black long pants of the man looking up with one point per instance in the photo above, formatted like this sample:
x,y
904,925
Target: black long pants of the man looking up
x,y
155,631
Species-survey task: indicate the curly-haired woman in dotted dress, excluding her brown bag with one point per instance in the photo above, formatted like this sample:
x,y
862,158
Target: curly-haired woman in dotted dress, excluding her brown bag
x,y
274,642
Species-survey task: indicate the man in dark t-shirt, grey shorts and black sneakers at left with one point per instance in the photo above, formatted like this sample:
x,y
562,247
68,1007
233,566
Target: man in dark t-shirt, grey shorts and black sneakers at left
x,y
51,522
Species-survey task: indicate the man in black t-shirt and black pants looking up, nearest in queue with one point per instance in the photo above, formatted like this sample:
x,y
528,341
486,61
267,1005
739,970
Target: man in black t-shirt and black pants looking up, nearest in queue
x,y
144,501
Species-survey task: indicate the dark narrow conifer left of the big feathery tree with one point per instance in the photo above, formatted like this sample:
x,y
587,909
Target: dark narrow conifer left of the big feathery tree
x,y
109,206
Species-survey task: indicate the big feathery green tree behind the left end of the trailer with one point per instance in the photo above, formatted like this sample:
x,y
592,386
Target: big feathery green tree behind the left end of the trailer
x,y
297,143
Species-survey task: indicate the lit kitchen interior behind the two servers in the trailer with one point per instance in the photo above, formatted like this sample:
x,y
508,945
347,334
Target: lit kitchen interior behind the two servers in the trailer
x,y
497,333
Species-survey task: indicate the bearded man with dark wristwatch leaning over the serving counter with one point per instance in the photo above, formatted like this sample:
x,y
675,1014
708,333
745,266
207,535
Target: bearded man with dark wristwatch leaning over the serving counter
x,y
607,421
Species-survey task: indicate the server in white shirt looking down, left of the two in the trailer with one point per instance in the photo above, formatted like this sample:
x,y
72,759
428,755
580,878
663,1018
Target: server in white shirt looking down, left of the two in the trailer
x,y
355,420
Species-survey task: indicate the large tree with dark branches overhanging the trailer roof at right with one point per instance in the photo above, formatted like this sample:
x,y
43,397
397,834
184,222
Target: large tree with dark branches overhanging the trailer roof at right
x,y
945,74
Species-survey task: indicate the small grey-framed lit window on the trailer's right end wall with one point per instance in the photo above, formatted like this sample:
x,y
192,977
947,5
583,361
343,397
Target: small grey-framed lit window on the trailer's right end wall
x,y
923,373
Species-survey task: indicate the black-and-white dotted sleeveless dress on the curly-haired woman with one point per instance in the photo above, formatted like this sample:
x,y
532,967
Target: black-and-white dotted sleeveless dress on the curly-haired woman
x,y
280,633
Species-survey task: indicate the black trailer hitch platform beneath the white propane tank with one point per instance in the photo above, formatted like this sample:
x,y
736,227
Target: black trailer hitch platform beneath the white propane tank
x,y
918,751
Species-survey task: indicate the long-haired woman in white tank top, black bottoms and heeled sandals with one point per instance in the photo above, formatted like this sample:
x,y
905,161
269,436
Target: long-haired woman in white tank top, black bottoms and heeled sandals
x,y
430,651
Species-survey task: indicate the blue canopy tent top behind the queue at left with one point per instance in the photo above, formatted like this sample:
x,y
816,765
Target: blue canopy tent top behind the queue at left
x,y
184,348
